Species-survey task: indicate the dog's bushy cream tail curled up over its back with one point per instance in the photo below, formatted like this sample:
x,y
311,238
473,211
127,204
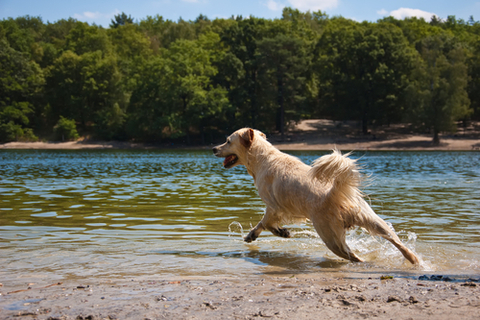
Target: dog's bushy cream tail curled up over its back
x,y
343,175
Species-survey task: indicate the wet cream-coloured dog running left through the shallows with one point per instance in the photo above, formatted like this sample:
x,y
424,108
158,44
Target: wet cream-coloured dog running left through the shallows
x,y
326,193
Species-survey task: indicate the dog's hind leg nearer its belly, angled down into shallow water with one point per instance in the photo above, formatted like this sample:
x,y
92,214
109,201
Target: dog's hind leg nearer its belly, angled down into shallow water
x,y
333,235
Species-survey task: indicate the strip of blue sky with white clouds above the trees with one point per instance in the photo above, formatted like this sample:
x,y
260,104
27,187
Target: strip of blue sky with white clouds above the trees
x,y
102,11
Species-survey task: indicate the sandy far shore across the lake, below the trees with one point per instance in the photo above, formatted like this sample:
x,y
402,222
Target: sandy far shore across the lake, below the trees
x,y
307,135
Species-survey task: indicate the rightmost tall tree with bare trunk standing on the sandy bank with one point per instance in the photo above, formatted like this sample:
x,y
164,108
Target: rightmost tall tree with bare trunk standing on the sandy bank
x,y
438,89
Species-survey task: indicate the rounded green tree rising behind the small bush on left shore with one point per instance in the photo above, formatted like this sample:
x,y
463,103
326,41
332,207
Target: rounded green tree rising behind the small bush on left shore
x,y
85,88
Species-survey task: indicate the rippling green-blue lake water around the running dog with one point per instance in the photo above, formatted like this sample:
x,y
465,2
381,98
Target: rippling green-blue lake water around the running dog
x,y
150,214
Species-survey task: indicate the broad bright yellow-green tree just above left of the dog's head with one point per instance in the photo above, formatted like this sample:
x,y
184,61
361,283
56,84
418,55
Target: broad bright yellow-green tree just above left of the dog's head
x,y
175,95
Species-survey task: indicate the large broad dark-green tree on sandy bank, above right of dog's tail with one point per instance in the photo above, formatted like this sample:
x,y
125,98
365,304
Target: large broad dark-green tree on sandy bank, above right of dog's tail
x,y
363,70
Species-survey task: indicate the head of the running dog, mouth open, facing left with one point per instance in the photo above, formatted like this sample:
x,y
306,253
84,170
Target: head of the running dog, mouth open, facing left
x,y
235,149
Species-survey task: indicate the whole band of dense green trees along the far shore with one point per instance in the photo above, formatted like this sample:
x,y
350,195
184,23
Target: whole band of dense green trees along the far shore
x,y
158,80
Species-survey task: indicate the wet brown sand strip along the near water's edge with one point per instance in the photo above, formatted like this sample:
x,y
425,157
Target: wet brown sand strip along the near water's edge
x,y
284,297
